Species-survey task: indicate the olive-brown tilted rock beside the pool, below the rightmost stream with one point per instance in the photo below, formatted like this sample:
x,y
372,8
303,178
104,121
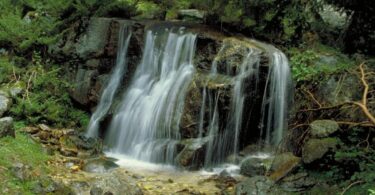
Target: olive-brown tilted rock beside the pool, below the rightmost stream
x,y
283,164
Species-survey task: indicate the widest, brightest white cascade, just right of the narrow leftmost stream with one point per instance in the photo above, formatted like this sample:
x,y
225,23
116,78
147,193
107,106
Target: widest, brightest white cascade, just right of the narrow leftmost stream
x,y
146,126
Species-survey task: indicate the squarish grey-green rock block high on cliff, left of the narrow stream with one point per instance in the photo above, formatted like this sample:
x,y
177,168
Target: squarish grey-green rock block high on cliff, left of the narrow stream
x,y
93,41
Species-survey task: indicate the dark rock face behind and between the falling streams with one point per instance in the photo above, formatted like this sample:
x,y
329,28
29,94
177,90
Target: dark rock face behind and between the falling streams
x,y
92,45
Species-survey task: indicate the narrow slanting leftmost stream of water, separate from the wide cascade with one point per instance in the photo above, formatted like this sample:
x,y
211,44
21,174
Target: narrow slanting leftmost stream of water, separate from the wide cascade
x,y
114,82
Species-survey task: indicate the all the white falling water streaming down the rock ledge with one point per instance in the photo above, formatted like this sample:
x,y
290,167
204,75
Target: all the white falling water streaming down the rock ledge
x,y
146,125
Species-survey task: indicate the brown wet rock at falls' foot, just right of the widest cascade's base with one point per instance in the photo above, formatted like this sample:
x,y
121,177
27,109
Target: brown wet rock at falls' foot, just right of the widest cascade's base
x,y
192,154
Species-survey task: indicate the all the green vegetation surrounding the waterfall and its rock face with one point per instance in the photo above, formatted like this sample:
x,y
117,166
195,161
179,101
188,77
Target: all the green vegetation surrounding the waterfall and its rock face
x,y
331,65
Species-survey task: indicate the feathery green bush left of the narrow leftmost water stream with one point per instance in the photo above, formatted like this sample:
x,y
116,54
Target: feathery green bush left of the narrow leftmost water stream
x,y
46,98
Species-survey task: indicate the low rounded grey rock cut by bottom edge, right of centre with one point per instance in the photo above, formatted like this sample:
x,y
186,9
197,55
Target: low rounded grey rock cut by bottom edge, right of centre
x,y
258,185
